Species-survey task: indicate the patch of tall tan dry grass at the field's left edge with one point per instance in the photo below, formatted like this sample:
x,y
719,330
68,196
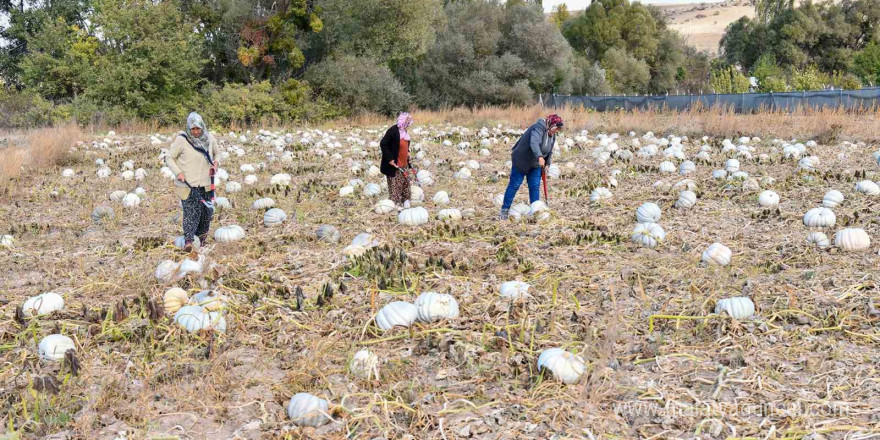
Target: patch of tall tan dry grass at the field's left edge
x,y
37,149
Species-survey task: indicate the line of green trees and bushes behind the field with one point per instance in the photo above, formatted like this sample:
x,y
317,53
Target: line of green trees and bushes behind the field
x,y
259,61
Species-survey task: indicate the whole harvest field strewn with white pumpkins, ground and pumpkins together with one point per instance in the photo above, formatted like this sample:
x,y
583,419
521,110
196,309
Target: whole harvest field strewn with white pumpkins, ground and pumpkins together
x,y
689,287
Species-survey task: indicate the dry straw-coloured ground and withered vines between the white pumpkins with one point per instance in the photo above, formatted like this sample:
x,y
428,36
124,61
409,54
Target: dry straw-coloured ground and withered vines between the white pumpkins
x,y
812,345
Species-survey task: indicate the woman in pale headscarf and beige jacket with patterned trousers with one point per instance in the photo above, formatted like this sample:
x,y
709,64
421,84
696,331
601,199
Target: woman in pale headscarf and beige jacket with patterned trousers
x,y
192,157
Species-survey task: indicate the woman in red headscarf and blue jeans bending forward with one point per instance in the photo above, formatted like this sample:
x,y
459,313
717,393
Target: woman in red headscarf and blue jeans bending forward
x,y
529,156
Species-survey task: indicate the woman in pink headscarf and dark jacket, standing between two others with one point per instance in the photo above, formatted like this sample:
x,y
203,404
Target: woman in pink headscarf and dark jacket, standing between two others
x,y
395,159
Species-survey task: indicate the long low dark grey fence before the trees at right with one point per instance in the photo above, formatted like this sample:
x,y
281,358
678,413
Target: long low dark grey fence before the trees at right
x,y
864,99
